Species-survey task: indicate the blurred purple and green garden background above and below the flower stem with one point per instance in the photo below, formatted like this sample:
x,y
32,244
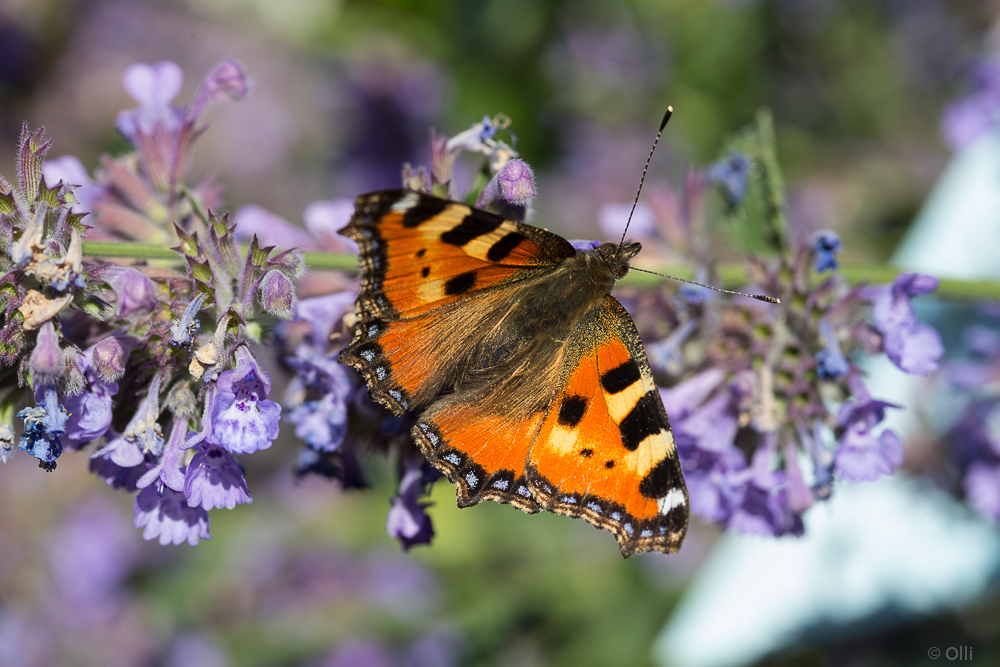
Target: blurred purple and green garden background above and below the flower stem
x,y
345,92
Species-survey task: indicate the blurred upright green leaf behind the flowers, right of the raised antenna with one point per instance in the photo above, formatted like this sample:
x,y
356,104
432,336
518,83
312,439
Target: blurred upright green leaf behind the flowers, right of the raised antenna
x,y
757,225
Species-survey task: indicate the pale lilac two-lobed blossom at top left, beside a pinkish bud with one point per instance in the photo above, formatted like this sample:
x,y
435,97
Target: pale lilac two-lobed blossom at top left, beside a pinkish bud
x,y
153,87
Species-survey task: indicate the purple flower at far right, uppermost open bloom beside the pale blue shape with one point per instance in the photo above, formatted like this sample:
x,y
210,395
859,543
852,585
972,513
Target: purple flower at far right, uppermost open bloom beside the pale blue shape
x,y
912,346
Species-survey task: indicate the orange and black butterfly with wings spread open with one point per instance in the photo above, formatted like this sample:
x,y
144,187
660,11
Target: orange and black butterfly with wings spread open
x,y
528,380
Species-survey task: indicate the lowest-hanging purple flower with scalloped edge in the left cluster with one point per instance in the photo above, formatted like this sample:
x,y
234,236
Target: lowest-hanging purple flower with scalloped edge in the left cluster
x,y
167,517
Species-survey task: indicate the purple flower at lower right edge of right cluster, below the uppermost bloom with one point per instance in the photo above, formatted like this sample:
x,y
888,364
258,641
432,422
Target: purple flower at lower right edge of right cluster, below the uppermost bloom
x,y
862,455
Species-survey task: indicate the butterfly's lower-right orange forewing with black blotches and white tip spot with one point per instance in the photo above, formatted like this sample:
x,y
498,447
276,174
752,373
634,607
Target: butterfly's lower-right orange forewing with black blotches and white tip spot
x,y
605,451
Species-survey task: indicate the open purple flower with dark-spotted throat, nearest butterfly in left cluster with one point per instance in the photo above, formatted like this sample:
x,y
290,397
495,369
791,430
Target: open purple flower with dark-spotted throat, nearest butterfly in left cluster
x,y
243,420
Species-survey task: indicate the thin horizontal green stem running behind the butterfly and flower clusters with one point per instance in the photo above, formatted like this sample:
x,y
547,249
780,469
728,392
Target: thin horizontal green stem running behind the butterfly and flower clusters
x,y
732,275
